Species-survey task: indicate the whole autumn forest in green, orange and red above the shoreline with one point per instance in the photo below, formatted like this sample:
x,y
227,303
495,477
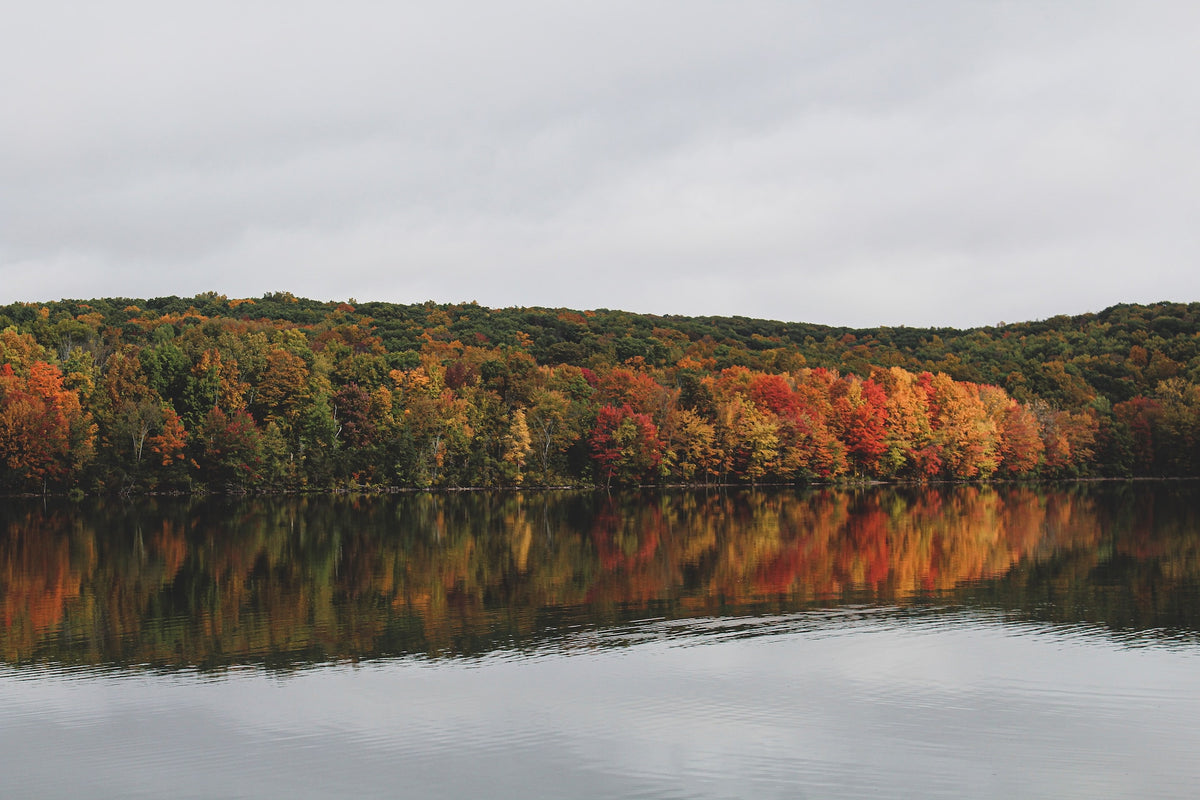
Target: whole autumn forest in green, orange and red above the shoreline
x,y
281,394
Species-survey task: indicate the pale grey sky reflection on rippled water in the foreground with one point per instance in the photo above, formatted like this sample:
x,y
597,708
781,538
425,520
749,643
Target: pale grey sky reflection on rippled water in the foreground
x,y
884,706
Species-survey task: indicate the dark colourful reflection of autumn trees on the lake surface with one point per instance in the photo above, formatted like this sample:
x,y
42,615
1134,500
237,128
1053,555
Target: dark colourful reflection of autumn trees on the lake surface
x,y
206,582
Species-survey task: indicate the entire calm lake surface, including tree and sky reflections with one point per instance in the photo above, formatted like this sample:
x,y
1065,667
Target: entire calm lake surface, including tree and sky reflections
x,y
885,642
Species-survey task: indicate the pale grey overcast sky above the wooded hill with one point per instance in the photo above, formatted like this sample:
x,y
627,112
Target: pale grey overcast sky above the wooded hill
x,y
853,164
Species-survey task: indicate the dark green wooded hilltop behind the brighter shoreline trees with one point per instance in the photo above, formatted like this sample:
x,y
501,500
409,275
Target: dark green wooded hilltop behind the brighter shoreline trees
x,y
1024,358
